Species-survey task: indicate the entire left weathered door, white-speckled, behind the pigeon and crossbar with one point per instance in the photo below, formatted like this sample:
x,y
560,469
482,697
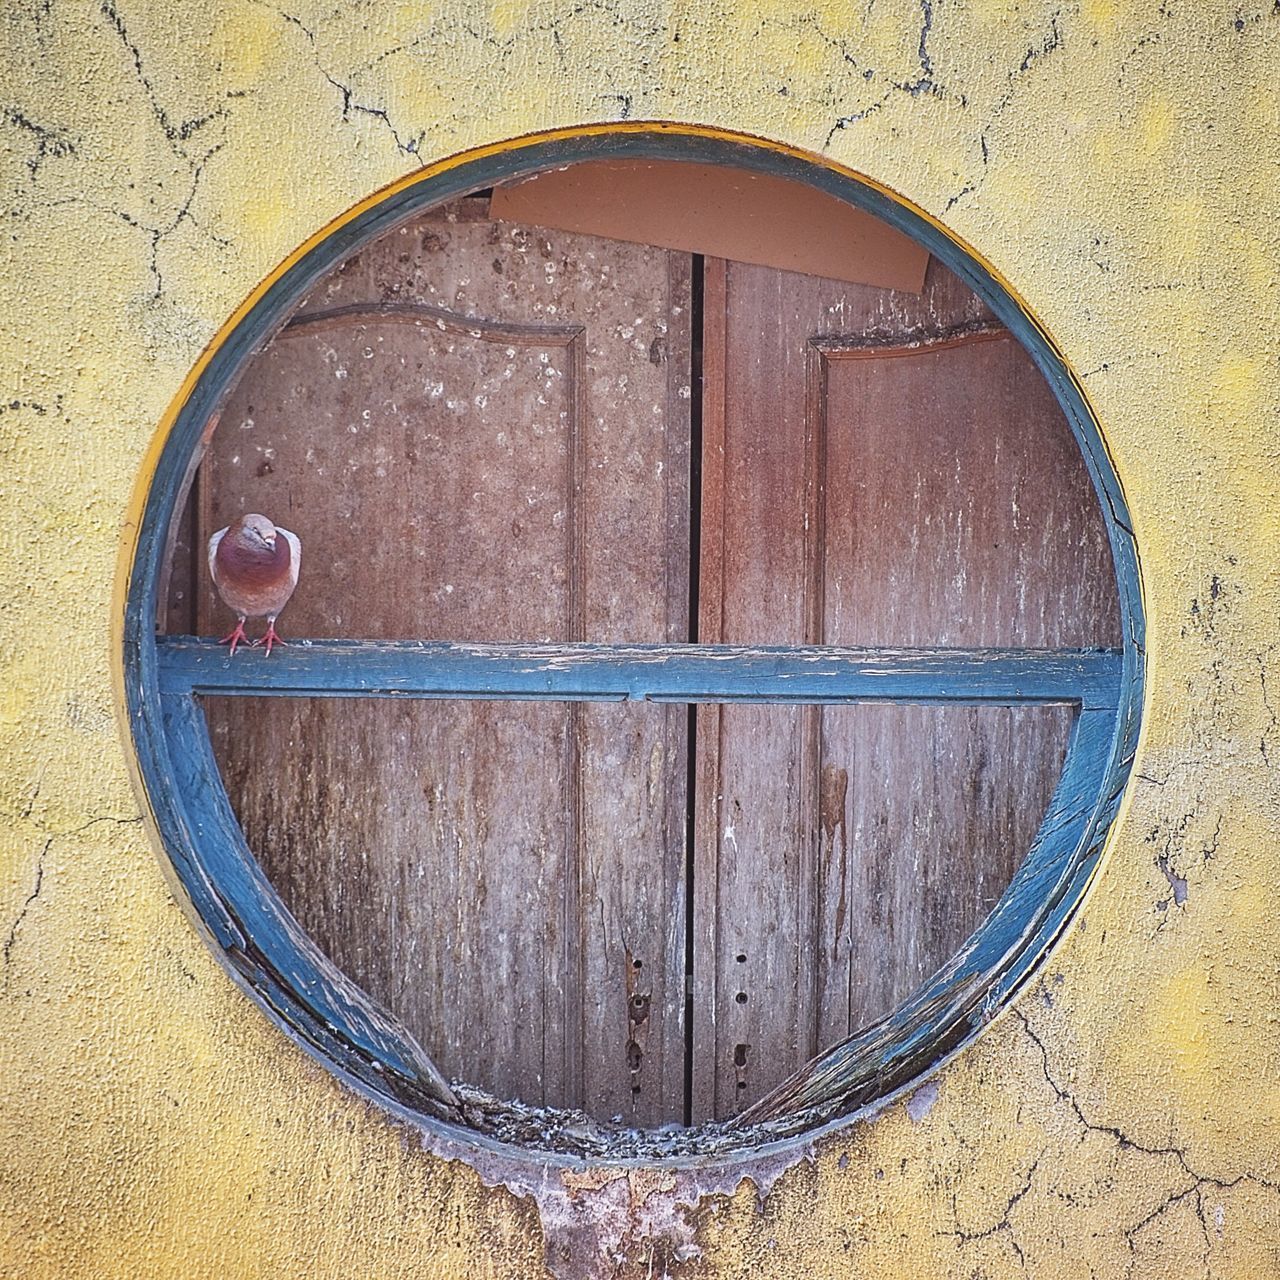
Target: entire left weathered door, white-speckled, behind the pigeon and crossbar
x,y
481,432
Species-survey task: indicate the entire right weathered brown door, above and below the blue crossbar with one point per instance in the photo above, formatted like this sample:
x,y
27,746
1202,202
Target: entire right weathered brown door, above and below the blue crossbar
x,y
885,469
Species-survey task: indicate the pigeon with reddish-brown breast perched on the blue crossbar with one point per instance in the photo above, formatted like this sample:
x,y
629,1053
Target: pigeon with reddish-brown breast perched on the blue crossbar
x,y
255,568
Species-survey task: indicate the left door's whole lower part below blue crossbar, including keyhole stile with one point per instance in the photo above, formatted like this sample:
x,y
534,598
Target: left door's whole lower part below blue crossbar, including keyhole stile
x,y
506,934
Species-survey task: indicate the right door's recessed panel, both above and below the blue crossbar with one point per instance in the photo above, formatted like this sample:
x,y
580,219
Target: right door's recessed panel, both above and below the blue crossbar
x,y
982,529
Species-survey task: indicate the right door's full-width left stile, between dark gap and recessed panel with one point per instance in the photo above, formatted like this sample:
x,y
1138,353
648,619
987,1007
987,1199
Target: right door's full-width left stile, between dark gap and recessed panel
x,y
749,886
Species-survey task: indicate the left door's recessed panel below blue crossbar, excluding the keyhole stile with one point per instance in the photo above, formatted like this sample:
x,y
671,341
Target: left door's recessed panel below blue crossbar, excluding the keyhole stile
x,y
424,847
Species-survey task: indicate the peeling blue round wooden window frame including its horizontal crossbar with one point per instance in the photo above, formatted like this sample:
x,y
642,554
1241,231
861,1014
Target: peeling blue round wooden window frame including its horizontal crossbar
x,y
284,971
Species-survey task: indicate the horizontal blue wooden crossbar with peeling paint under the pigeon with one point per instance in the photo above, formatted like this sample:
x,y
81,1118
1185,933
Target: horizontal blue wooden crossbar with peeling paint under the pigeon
x,y
661,674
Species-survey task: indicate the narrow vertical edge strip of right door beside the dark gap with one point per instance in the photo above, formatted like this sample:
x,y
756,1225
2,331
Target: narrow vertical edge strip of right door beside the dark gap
x,y
711,627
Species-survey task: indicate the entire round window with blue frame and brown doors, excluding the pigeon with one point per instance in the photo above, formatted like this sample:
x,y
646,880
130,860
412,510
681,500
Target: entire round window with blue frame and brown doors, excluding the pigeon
x,y
712,673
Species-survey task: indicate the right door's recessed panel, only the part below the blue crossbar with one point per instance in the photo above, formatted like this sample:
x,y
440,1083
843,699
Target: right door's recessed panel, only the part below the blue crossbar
x,y
925,816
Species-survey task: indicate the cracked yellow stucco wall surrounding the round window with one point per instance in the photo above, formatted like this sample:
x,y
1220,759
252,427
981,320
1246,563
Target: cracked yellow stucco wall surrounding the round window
x,y
1119,163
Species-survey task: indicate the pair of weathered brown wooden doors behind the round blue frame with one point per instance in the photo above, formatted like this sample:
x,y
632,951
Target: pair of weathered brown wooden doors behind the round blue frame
x,y
482,432
